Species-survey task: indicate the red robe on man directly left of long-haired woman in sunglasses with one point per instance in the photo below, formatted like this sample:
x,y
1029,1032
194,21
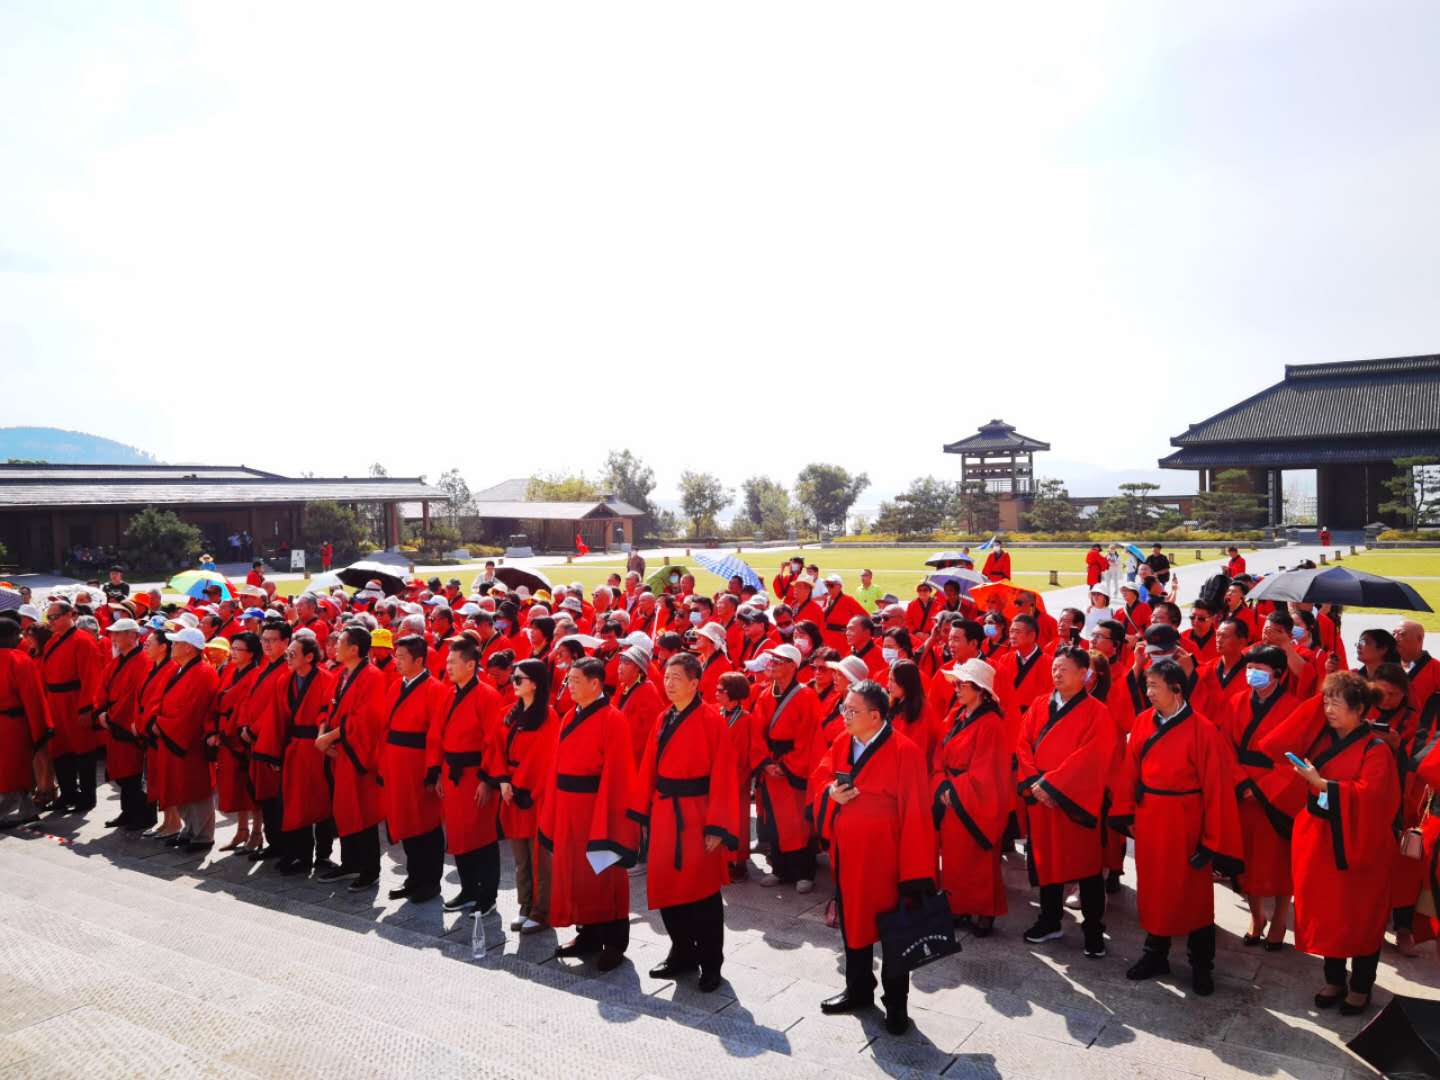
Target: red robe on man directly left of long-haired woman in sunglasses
x,y
470,755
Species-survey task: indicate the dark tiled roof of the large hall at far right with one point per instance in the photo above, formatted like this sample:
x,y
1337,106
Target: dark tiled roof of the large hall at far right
x,y
1362,401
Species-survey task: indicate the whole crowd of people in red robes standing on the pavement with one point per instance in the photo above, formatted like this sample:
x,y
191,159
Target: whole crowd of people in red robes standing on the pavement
x,y
912,742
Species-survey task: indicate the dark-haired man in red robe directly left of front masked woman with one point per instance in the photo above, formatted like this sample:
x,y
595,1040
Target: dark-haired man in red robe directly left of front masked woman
x,y
1184,823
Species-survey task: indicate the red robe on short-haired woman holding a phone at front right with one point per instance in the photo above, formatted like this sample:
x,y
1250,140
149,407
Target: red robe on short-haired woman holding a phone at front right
x,y
1343,852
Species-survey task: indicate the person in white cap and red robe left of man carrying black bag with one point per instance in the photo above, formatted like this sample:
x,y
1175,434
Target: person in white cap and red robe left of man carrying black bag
x,y
783,732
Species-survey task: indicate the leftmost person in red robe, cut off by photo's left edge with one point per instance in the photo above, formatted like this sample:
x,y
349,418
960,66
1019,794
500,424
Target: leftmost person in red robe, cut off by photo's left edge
x,y
25,731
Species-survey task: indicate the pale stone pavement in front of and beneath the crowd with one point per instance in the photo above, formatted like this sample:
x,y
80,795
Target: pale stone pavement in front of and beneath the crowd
x,y
122,958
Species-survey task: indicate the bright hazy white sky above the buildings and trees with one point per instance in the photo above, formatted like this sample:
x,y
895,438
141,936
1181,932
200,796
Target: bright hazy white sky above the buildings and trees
x,y
731,237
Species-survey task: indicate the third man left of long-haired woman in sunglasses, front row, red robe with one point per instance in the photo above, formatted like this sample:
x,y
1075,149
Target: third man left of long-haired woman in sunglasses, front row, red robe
x,y
351,738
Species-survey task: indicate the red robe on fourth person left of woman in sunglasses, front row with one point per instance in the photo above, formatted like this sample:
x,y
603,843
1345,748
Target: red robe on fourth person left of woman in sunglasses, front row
x,y
289,739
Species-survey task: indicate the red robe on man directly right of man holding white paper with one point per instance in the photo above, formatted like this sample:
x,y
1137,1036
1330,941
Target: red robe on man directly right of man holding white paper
x,y
686,793
